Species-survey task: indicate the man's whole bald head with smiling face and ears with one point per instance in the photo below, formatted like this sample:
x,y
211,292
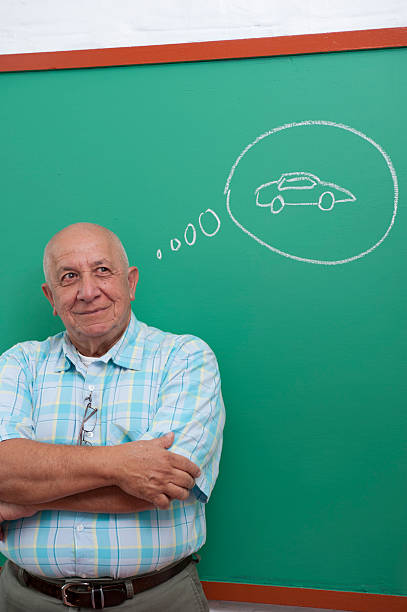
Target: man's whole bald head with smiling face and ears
x,y
89,287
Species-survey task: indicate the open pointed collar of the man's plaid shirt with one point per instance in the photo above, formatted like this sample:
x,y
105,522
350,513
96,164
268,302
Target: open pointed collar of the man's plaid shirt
x,y
127,352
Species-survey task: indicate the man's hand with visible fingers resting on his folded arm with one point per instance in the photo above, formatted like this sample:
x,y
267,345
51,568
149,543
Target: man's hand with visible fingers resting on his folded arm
x,y
148,470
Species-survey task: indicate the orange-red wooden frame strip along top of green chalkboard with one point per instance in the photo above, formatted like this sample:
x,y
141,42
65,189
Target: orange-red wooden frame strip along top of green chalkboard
x,y
211,50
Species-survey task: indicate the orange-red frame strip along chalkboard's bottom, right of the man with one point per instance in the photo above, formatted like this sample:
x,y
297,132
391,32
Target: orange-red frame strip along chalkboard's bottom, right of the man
x,y
308,598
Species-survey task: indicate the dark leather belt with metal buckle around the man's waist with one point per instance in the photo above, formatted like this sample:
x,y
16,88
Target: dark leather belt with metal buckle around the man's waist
x,y
99,593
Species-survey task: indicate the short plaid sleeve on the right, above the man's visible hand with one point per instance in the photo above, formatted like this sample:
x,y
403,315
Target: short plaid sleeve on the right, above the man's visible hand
x,y
190,405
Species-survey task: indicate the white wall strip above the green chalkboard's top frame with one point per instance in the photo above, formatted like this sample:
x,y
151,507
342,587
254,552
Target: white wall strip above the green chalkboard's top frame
x,y
53,25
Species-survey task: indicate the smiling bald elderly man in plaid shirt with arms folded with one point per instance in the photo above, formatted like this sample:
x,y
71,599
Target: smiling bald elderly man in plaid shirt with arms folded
x,y
110,444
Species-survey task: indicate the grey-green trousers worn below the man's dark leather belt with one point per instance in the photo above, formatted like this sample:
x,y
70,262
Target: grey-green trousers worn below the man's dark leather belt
x,y
182,593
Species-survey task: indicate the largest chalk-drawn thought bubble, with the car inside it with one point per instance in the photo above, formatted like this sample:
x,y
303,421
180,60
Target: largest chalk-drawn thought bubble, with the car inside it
x,y
337,187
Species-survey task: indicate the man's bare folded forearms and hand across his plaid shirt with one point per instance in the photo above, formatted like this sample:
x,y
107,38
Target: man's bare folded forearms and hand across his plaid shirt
x,y
129,477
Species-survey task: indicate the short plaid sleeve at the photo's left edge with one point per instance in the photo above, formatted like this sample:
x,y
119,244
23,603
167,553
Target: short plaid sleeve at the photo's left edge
x,y
15,396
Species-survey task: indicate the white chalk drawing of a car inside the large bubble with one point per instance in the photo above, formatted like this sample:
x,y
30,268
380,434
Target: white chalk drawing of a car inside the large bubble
x,y
301,189
